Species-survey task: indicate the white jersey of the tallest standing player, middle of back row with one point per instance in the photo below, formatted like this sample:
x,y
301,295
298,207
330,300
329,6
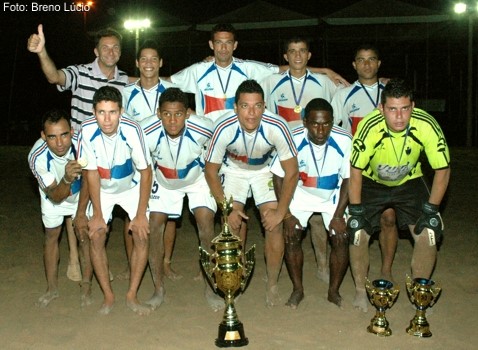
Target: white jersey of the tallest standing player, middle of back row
x,y
215,87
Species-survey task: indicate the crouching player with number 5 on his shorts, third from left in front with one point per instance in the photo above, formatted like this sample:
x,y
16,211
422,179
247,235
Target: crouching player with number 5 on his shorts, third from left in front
x,y
177,141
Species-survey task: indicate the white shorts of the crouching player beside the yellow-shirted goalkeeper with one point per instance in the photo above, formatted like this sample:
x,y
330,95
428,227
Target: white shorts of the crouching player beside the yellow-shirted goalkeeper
x,y
304,204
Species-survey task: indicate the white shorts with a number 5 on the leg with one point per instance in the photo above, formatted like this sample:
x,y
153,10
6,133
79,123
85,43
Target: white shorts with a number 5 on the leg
x,y
170,202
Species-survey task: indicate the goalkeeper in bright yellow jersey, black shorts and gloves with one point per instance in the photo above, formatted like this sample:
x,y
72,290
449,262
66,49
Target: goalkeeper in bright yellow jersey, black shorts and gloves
x,y
386,173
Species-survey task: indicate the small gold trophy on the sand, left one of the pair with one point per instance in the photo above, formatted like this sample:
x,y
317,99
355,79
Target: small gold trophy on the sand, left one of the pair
x,y
382,294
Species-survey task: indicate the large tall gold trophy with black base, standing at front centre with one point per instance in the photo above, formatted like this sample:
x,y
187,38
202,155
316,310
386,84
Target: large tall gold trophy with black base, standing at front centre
x,y
228,270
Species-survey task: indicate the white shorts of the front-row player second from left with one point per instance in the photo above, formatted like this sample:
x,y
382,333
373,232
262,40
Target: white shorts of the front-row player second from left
x,y
128,200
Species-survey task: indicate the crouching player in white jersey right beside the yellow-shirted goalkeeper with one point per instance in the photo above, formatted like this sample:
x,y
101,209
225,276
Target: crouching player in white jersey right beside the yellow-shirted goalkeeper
x,y
324,155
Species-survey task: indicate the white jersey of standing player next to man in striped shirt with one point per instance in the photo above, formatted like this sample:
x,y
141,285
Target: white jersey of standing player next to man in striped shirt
x,y
142,103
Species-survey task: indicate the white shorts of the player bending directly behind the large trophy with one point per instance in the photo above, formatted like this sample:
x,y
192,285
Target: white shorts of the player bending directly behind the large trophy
x,y
239,183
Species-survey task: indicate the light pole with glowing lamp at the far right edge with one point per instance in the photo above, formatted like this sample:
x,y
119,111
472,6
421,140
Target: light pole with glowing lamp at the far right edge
x,y
470,11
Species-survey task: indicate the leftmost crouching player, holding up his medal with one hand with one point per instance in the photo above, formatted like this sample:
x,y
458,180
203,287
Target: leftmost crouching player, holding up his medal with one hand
x,y
52,161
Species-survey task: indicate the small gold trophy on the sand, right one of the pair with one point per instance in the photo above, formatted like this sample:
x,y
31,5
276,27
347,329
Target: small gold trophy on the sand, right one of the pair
x,y
423,294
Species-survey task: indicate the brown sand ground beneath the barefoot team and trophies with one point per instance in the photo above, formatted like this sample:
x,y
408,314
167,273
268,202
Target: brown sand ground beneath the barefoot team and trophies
x,y
185,321
